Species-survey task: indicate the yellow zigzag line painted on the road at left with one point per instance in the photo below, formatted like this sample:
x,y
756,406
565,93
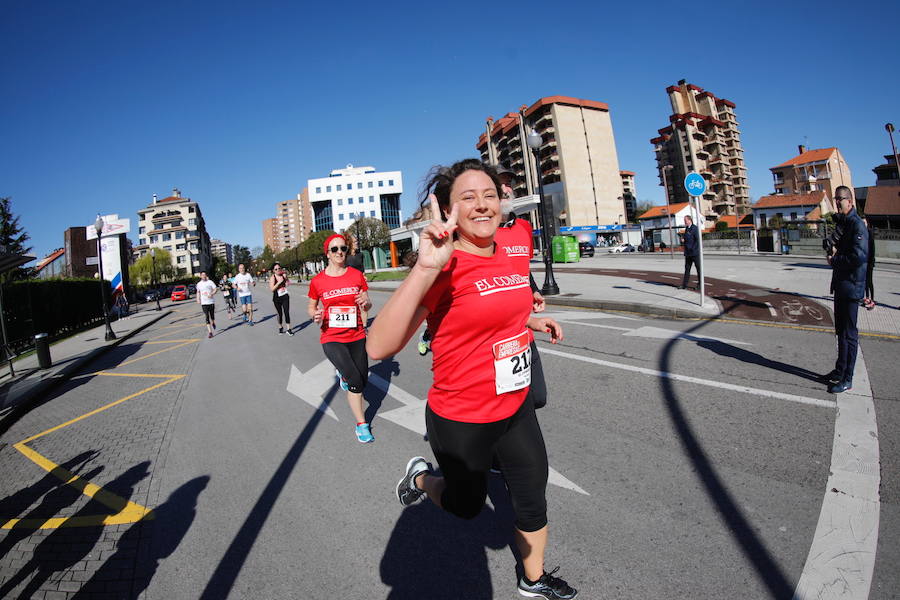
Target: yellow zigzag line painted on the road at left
x,y
124,511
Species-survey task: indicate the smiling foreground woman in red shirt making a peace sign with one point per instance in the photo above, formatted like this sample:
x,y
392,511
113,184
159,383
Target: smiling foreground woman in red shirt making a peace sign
x,y
478,304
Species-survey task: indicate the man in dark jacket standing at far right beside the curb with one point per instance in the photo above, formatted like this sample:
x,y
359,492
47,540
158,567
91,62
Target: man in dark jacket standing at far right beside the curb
x,y
848,279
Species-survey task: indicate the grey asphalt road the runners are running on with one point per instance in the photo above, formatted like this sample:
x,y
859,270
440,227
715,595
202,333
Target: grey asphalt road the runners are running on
x,y
708,483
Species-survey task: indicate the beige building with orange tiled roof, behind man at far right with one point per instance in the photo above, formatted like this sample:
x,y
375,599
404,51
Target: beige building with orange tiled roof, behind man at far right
x,y
812,170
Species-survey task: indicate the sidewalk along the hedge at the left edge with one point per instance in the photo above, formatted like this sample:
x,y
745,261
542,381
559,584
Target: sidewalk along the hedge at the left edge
x,y
69,356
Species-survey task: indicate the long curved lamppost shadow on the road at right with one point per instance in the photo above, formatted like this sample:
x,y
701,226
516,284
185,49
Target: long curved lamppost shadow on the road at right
x,y
767,568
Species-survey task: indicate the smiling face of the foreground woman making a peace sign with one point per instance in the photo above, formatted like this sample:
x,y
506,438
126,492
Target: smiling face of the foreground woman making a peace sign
x,y
478,204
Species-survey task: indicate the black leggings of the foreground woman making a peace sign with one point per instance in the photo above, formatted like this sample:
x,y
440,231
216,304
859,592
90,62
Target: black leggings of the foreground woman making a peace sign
x,y
465,451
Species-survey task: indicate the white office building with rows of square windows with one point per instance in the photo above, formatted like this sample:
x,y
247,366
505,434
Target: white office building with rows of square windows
x,y
347,194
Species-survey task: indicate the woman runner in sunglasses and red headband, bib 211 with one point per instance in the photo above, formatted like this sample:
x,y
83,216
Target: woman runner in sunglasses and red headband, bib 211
x,y
341,291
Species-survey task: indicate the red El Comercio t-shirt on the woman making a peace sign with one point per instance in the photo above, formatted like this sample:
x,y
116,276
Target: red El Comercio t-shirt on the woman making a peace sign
x,y
478,306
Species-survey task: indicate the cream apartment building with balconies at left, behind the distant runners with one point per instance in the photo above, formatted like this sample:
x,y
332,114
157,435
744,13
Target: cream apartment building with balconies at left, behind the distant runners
x,y
176,225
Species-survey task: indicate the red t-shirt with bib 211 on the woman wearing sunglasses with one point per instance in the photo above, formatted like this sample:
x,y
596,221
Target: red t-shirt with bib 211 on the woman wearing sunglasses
x,y
342,321
